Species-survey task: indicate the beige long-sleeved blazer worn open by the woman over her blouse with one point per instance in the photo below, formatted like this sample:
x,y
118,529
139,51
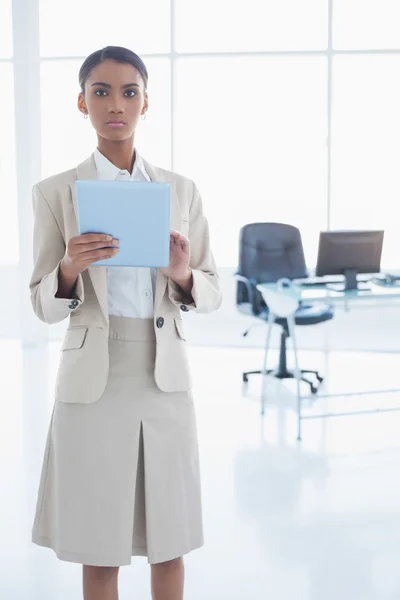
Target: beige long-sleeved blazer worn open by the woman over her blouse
x,y
83,370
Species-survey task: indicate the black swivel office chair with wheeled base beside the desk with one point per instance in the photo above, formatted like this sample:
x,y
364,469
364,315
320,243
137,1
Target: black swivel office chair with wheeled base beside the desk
x,y
267,253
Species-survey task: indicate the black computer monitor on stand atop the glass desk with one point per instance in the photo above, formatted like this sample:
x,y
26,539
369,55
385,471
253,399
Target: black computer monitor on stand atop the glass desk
x,y
349,253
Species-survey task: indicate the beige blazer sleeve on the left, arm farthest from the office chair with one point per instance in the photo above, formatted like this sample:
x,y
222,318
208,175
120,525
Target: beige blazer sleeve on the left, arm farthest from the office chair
x,y
48,251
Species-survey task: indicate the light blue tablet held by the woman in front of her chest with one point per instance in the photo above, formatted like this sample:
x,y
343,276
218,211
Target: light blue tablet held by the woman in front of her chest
x,y
135,213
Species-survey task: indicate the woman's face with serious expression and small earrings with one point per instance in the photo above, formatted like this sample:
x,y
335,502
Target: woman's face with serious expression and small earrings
x,y
114,99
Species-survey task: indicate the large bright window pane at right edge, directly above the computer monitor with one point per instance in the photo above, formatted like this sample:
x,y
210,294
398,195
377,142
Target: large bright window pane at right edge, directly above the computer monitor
x,y
365,148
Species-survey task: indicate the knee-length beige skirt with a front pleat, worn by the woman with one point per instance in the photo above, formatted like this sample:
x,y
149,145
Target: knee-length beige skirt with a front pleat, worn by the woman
x,y
120,476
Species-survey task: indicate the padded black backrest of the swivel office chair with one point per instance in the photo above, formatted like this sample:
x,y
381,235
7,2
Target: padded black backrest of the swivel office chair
x,y
267,252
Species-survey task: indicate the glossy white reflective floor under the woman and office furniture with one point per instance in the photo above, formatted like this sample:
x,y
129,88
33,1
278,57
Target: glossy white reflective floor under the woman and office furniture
x,y
318,520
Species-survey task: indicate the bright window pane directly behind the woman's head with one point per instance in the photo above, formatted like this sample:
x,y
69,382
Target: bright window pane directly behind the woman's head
x,y
67,138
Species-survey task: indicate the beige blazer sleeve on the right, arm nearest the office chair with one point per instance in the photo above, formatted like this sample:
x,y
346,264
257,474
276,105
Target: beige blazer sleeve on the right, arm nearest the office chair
x,y
206,293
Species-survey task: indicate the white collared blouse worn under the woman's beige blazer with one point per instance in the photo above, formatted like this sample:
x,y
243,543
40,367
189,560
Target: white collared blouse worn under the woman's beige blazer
x,y
130,289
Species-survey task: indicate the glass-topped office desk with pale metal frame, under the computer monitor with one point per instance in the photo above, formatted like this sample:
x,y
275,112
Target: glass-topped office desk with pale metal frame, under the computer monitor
x,y
320,293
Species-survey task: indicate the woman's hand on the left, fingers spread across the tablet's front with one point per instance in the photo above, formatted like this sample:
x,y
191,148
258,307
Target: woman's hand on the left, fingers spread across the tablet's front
x,y
84,250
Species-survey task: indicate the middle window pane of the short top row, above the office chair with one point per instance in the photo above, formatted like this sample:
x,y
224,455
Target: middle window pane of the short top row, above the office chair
x,y
231,26
